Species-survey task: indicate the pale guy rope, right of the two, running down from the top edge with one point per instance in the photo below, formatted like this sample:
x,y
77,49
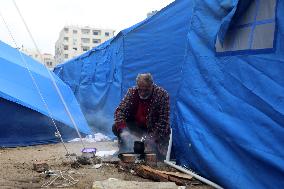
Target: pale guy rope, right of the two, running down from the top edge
x,y
52,78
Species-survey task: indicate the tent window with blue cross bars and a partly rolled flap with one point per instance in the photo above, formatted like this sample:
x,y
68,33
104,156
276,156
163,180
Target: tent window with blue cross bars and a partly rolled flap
x,y
254,30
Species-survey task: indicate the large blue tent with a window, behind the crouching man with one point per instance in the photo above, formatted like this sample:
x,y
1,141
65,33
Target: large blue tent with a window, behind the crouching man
x,y
227,109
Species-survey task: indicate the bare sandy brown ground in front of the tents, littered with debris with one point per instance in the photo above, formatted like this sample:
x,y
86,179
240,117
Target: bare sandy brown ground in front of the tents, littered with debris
x,y
17,166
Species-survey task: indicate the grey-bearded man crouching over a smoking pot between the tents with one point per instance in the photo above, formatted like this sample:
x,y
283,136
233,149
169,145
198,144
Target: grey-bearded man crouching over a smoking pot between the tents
x,y
144,112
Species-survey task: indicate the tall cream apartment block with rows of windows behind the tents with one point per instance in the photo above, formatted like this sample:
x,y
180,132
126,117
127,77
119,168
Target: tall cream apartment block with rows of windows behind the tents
x,y
75,40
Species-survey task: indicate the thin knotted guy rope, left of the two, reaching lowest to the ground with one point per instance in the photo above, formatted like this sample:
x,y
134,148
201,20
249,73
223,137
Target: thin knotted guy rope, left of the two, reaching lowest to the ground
x,y
34,82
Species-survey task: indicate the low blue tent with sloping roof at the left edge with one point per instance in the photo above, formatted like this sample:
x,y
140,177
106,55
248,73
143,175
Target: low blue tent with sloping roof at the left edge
x,y
25,119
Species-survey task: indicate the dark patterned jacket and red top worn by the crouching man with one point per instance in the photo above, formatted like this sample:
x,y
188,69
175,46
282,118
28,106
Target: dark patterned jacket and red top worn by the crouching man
x,y
157,121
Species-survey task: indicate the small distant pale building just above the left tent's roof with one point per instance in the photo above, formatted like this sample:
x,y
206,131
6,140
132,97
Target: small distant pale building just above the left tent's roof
x,y
45,58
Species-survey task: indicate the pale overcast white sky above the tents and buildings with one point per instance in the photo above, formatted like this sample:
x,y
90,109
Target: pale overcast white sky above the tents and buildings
x,y
46,18
